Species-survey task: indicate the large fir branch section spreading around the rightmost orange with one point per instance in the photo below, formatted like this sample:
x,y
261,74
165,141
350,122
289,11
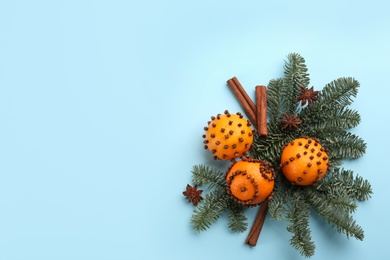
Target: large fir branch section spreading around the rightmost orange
x,y
329,120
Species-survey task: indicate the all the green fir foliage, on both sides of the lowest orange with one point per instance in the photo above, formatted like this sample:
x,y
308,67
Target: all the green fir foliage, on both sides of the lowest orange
x,y
328,119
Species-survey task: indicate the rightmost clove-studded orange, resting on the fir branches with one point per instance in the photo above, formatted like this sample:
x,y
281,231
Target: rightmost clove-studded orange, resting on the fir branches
x,y
304,161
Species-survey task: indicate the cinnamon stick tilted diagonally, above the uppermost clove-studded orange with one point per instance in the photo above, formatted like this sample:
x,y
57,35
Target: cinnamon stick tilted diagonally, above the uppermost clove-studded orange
x,y
243,98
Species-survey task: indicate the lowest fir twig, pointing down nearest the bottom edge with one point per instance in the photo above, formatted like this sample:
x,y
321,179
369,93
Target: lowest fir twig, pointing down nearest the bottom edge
x,y
298,217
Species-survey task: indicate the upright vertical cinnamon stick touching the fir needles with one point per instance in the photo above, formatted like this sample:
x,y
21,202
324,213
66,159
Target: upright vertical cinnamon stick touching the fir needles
x,y
261,110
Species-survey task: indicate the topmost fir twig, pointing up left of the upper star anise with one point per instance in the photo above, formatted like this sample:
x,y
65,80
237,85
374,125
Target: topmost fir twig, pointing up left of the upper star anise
x,y
295,76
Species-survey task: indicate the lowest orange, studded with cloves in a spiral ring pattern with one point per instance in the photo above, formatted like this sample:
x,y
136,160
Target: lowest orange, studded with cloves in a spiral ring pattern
x,y
250,181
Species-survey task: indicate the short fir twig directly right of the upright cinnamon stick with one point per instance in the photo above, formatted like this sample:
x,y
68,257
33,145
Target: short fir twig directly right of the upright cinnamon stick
x,y
276,106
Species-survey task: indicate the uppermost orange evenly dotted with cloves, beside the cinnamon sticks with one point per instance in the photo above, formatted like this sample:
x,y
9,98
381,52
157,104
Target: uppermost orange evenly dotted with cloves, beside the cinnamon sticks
x,y
228,136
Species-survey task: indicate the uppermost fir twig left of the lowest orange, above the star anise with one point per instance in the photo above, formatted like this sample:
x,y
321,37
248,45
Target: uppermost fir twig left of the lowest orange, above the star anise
x,y
205,175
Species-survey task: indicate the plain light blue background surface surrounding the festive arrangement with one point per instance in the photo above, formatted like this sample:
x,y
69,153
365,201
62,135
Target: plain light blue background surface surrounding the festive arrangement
x,y
102,108
